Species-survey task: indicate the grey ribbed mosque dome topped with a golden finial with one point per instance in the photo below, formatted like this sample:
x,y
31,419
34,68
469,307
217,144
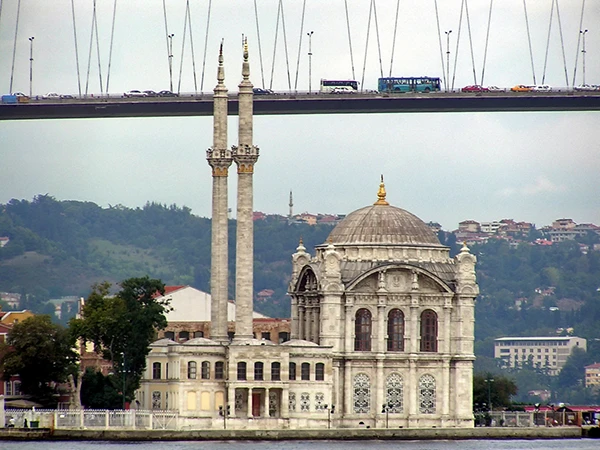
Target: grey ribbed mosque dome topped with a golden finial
x,y
382,224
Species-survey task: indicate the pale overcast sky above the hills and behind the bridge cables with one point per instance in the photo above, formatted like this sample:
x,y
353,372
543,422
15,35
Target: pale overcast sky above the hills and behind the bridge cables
x,y
444,167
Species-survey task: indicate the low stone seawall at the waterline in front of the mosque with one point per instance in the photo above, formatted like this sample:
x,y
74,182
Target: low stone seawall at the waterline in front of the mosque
x,y
288,435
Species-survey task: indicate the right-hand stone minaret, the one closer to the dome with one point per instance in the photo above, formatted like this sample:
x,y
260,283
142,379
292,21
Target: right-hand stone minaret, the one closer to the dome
x,y
245,156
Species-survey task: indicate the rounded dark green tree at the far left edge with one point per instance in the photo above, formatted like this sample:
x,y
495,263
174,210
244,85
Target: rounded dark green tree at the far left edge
x,y
42,354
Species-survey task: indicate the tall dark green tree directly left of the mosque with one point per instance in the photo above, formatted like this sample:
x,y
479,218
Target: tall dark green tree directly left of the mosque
x,y
122,326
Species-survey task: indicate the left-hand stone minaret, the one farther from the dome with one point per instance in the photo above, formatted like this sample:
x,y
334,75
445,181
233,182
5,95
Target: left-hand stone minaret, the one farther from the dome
x,y
219,158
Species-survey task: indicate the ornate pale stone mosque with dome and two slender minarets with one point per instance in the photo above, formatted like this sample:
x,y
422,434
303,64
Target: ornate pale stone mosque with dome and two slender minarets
x,y
382,324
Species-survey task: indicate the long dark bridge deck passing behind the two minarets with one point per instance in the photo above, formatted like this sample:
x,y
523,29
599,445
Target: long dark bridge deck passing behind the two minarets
x,y
303,104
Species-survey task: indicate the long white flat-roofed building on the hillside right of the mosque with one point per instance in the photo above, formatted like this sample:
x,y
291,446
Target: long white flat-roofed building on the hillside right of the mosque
x,y
541,352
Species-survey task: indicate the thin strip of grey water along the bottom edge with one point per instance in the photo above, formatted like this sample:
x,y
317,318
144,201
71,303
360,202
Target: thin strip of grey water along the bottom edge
x,y
552,444
